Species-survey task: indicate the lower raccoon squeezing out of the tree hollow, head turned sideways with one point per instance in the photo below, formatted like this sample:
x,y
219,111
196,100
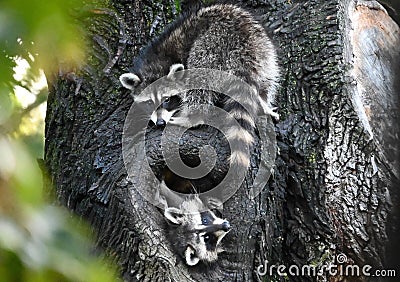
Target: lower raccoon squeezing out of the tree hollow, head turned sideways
x,y
194,228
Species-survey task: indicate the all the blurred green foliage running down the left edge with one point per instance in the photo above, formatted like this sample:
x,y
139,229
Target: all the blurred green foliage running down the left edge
x,y
38,241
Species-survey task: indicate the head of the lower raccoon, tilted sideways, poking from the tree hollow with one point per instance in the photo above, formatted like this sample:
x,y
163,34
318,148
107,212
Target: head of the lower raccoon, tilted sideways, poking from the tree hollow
x,y
198,231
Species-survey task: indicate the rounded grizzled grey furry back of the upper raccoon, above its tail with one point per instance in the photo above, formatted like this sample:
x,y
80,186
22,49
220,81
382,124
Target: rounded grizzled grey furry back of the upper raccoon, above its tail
x,y
230,39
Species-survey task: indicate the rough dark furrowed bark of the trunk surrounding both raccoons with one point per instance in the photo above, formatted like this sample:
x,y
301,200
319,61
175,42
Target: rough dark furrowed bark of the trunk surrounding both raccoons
x,y
333,189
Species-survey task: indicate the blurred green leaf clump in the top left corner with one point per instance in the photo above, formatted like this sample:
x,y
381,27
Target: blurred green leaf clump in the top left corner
x,y
45,28
